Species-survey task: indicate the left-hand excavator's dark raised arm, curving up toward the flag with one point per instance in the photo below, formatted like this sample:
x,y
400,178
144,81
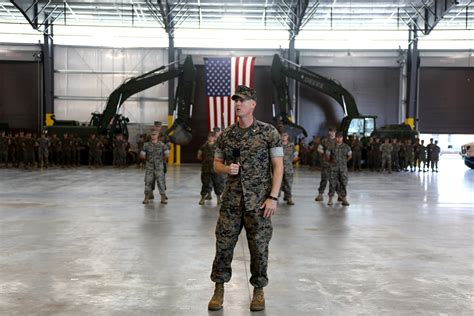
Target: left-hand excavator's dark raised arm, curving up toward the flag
x,y
183,101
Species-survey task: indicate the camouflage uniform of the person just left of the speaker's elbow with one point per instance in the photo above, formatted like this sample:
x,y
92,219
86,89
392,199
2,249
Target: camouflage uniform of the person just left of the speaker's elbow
x,y
209,177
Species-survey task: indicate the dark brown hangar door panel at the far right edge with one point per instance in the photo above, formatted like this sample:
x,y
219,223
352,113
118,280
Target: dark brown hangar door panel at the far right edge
x,y
446,101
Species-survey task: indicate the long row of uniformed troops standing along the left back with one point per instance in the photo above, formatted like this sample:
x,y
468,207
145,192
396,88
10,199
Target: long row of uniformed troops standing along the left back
x,y
28,150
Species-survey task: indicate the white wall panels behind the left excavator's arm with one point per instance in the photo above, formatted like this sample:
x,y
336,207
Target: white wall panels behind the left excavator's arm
x,y
86,76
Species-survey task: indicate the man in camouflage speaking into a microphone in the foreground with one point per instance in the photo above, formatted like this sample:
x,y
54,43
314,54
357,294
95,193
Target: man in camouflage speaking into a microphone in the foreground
x,y
250,152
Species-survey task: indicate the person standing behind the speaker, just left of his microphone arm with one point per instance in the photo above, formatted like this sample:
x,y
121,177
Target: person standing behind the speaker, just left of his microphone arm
x,y
209,178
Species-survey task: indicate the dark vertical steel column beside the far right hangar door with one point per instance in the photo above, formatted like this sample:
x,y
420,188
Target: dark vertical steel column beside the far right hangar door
x,y
413,76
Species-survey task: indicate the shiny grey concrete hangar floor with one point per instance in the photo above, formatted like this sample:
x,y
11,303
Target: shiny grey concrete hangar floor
x,y
79,242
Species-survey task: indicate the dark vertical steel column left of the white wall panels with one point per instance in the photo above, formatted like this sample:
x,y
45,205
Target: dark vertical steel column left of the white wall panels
x,y
48,71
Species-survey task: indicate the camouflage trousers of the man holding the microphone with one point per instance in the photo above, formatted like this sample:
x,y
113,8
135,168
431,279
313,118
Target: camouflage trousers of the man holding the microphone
x,y
259,232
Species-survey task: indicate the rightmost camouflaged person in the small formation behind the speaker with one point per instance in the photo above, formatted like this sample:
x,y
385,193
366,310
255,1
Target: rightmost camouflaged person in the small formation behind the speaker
x,y
338,156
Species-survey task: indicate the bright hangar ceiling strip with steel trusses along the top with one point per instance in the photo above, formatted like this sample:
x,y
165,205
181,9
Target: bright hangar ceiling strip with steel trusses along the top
x,y
240,14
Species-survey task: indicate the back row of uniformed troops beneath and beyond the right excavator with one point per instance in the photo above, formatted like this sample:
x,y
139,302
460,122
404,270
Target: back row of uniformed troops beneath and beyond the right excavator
x,y
391,155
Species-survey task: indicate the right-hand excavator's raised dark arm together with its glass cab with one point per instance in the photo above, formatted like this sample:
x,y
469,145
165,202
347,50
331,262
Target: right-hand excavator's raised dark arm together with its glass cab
x,y
330,87
